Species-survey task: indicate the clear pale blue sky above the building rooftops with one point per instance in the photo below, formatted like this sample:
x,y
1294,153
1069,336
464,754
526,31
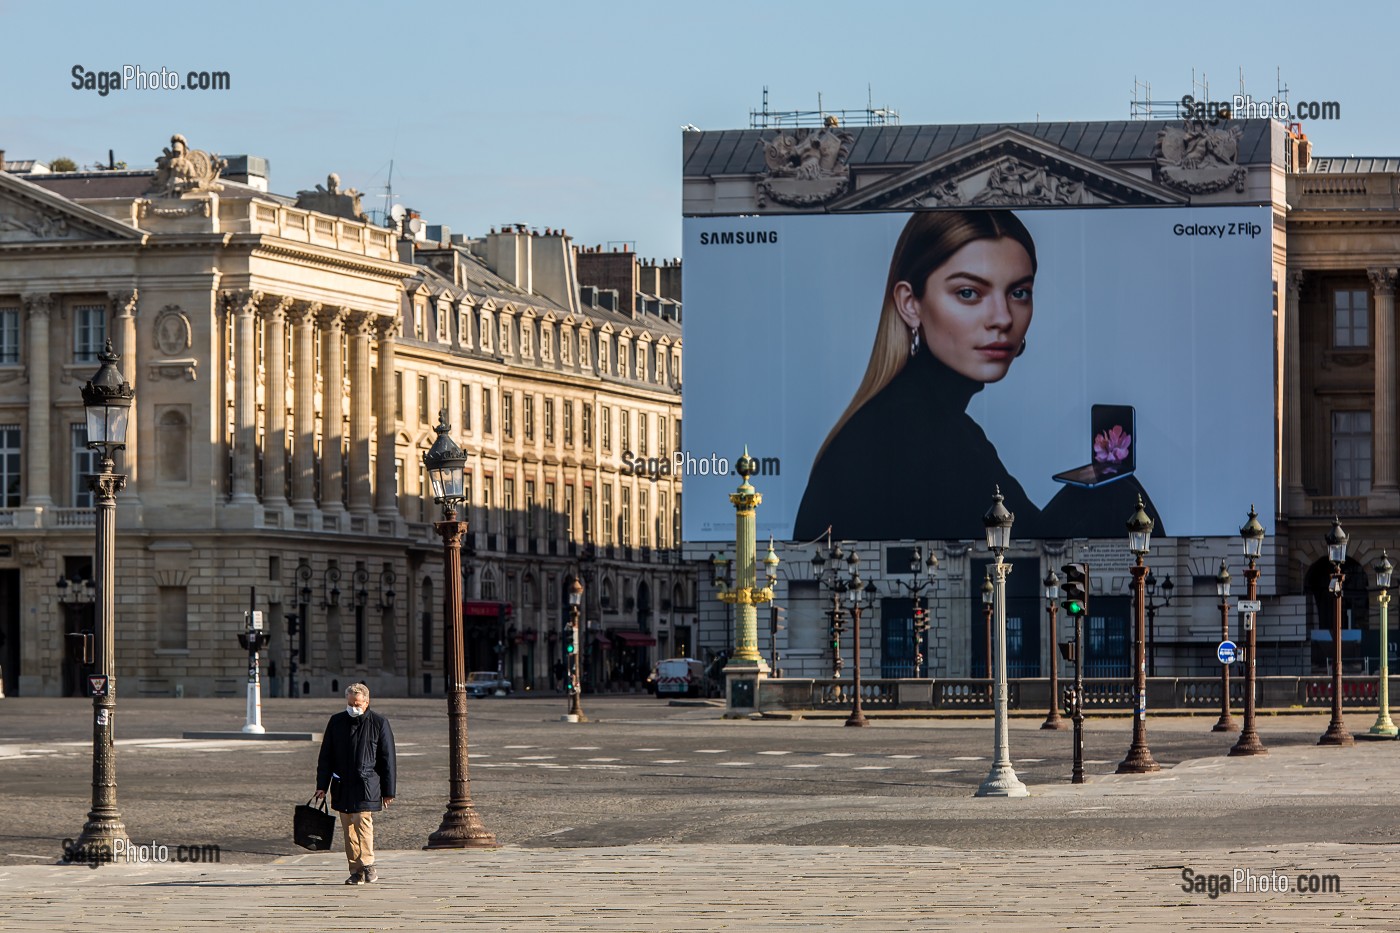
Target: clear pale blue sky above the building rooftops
x,y
569,114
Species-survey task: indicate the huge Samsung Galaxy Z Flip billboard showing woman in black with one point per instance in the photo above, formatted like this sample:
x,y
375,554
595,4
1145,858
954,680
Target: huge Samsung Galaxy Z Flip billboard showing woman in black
x,y
890,371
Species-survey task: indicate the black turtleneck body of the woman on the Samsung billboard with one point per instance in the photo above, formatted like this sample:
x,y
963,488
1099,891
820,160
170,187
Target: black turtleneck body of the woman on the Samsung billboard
x,y
912,464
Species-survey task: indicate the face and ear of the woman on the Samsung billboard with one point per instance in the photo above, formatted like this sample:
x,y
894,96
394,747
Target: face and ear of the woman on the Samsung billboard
x,y
975,309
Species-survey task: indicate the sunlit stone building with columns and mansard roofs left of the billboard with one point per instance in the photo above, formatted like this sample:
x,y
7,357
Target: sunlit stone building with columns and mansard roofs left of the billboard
x,y
289,362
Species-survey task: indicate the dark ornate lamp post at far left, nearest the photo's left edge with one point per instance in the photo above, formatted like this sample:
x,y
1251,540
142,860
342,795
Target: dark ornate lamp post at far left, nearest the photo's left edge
x,y
108,403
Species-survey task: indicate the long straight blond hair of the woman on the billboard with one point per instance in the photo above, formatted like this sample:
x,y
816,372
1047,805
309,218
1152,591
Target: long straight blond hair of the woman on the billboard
x,y
929,240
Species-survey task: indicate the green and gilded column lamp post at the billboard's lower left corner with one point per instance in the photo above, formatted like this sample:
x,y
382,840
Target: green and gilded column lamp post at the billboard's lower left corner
x,y
747,666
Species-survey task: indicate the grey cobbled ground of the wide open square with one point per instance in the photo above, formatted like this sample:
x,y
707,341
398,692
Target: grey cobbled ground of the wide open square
x,y
656,819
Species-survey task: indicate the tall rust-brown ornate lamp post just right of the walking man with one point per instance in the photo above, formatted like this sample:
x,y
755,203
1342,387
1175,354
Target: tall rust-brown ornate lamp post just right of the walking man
x,y
461,827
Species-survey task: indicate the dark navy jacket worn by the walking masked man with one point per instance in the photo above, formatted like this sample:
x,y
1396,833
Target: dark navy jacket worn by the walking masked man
x,y
360,750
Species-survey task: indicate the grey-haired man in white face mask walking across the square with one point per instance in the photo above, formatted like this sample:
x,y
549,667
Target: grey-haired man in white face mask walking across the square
x,y
358,753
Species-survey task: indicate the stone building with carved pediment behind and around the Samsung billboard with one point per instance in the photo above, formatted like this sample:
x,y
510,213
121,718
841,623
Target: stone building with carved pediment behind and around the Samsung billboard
x,y
1336,254
